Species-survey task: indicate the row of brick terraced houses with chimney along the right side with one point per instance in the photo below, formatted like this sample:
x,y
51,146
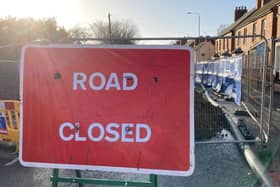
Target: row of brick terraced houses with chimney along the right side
x,y
263,20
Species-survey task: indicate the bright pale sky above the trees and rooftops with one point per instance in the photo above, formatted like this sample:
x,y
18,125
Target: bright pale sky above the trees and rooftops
x,y
153,18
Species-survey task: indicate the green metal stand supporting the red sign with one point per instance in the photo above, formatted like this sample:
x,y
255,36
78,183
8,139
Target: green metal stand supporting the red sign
x,y
55,179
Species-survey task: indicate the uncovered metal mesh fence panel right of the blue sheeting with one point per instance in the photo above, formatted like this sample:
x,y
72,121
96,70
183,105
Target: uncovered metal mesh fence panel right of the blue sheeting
x,y
256,94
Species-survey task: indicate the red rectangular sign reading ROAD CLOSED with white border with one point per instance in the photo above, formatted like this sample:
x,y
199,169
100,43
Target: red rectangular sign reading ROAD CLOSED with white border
x,y
110,108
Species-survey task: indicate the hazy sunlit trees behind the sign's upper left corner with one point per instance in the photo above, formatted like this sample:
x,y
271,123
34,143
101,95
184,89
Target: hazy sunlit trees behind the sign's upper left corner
x,y
15,32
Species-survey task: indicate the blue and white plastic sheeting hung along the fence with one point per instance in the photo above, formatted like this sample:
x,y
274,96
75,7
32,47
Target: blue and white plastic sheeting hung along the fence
x,y
223,76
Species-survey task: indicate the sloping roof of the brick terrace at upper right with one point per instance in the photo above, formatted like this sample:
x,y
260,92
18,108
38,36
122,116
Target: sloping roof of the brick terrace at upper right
x,y
251,16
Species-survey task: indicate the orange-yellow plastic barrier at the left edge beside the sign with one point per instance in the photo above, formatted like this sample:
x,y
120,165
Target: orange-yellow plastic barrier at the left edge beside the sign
x,y
9,121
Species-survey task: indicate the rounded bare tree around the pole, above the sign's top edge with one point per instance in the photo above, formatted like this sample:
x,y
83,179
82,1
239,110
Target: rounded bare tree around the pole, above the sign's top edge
x,y
119,29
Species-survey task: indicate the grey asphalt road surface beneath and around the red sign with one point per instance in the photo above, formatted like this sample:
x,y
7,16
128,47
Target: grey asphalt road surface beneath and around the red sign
x,y
216,165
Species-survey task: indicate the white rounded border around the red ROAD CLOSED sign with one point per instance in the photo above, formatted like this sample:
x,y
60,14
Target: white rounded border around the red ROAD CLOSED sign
x,y
113,168
